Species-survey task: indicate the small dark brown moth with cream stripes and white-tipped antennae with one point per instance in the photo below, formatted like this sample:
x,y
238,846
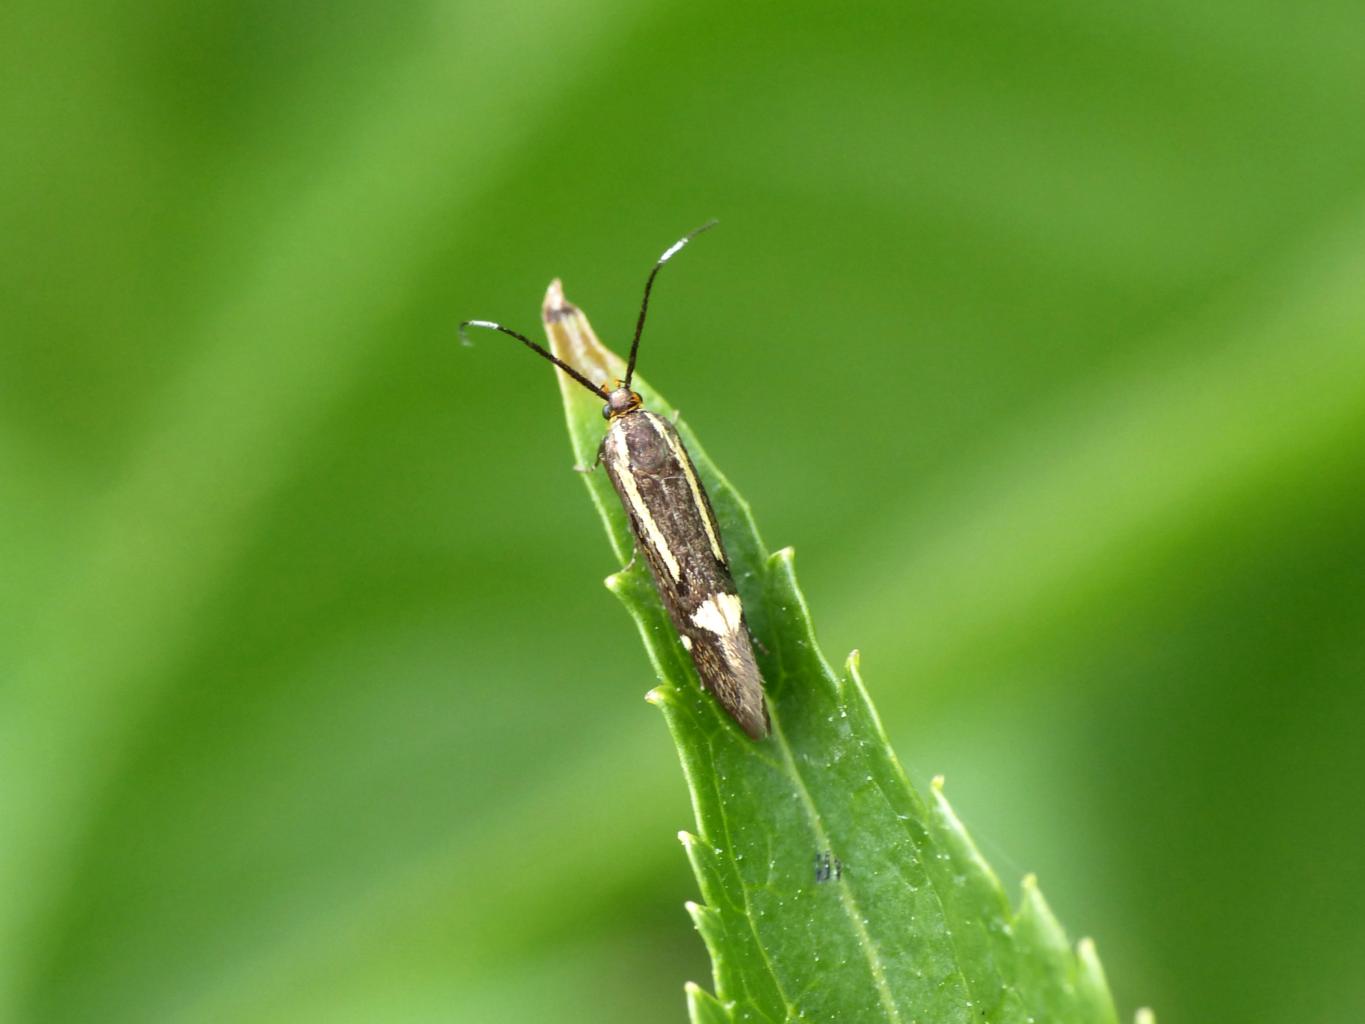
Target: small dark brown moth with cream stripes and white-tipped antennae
x,y
674,524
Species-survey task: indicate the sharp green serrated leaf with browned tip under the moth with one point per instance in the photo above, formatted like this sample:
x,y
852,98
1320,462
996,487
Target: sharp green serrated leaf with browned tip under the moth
x,y
917,926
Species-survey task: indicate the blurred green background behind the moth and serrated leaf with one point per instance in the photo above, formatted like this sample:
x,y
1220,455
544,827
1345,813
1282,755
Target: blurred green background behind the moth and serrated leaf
x,y
1038,331
